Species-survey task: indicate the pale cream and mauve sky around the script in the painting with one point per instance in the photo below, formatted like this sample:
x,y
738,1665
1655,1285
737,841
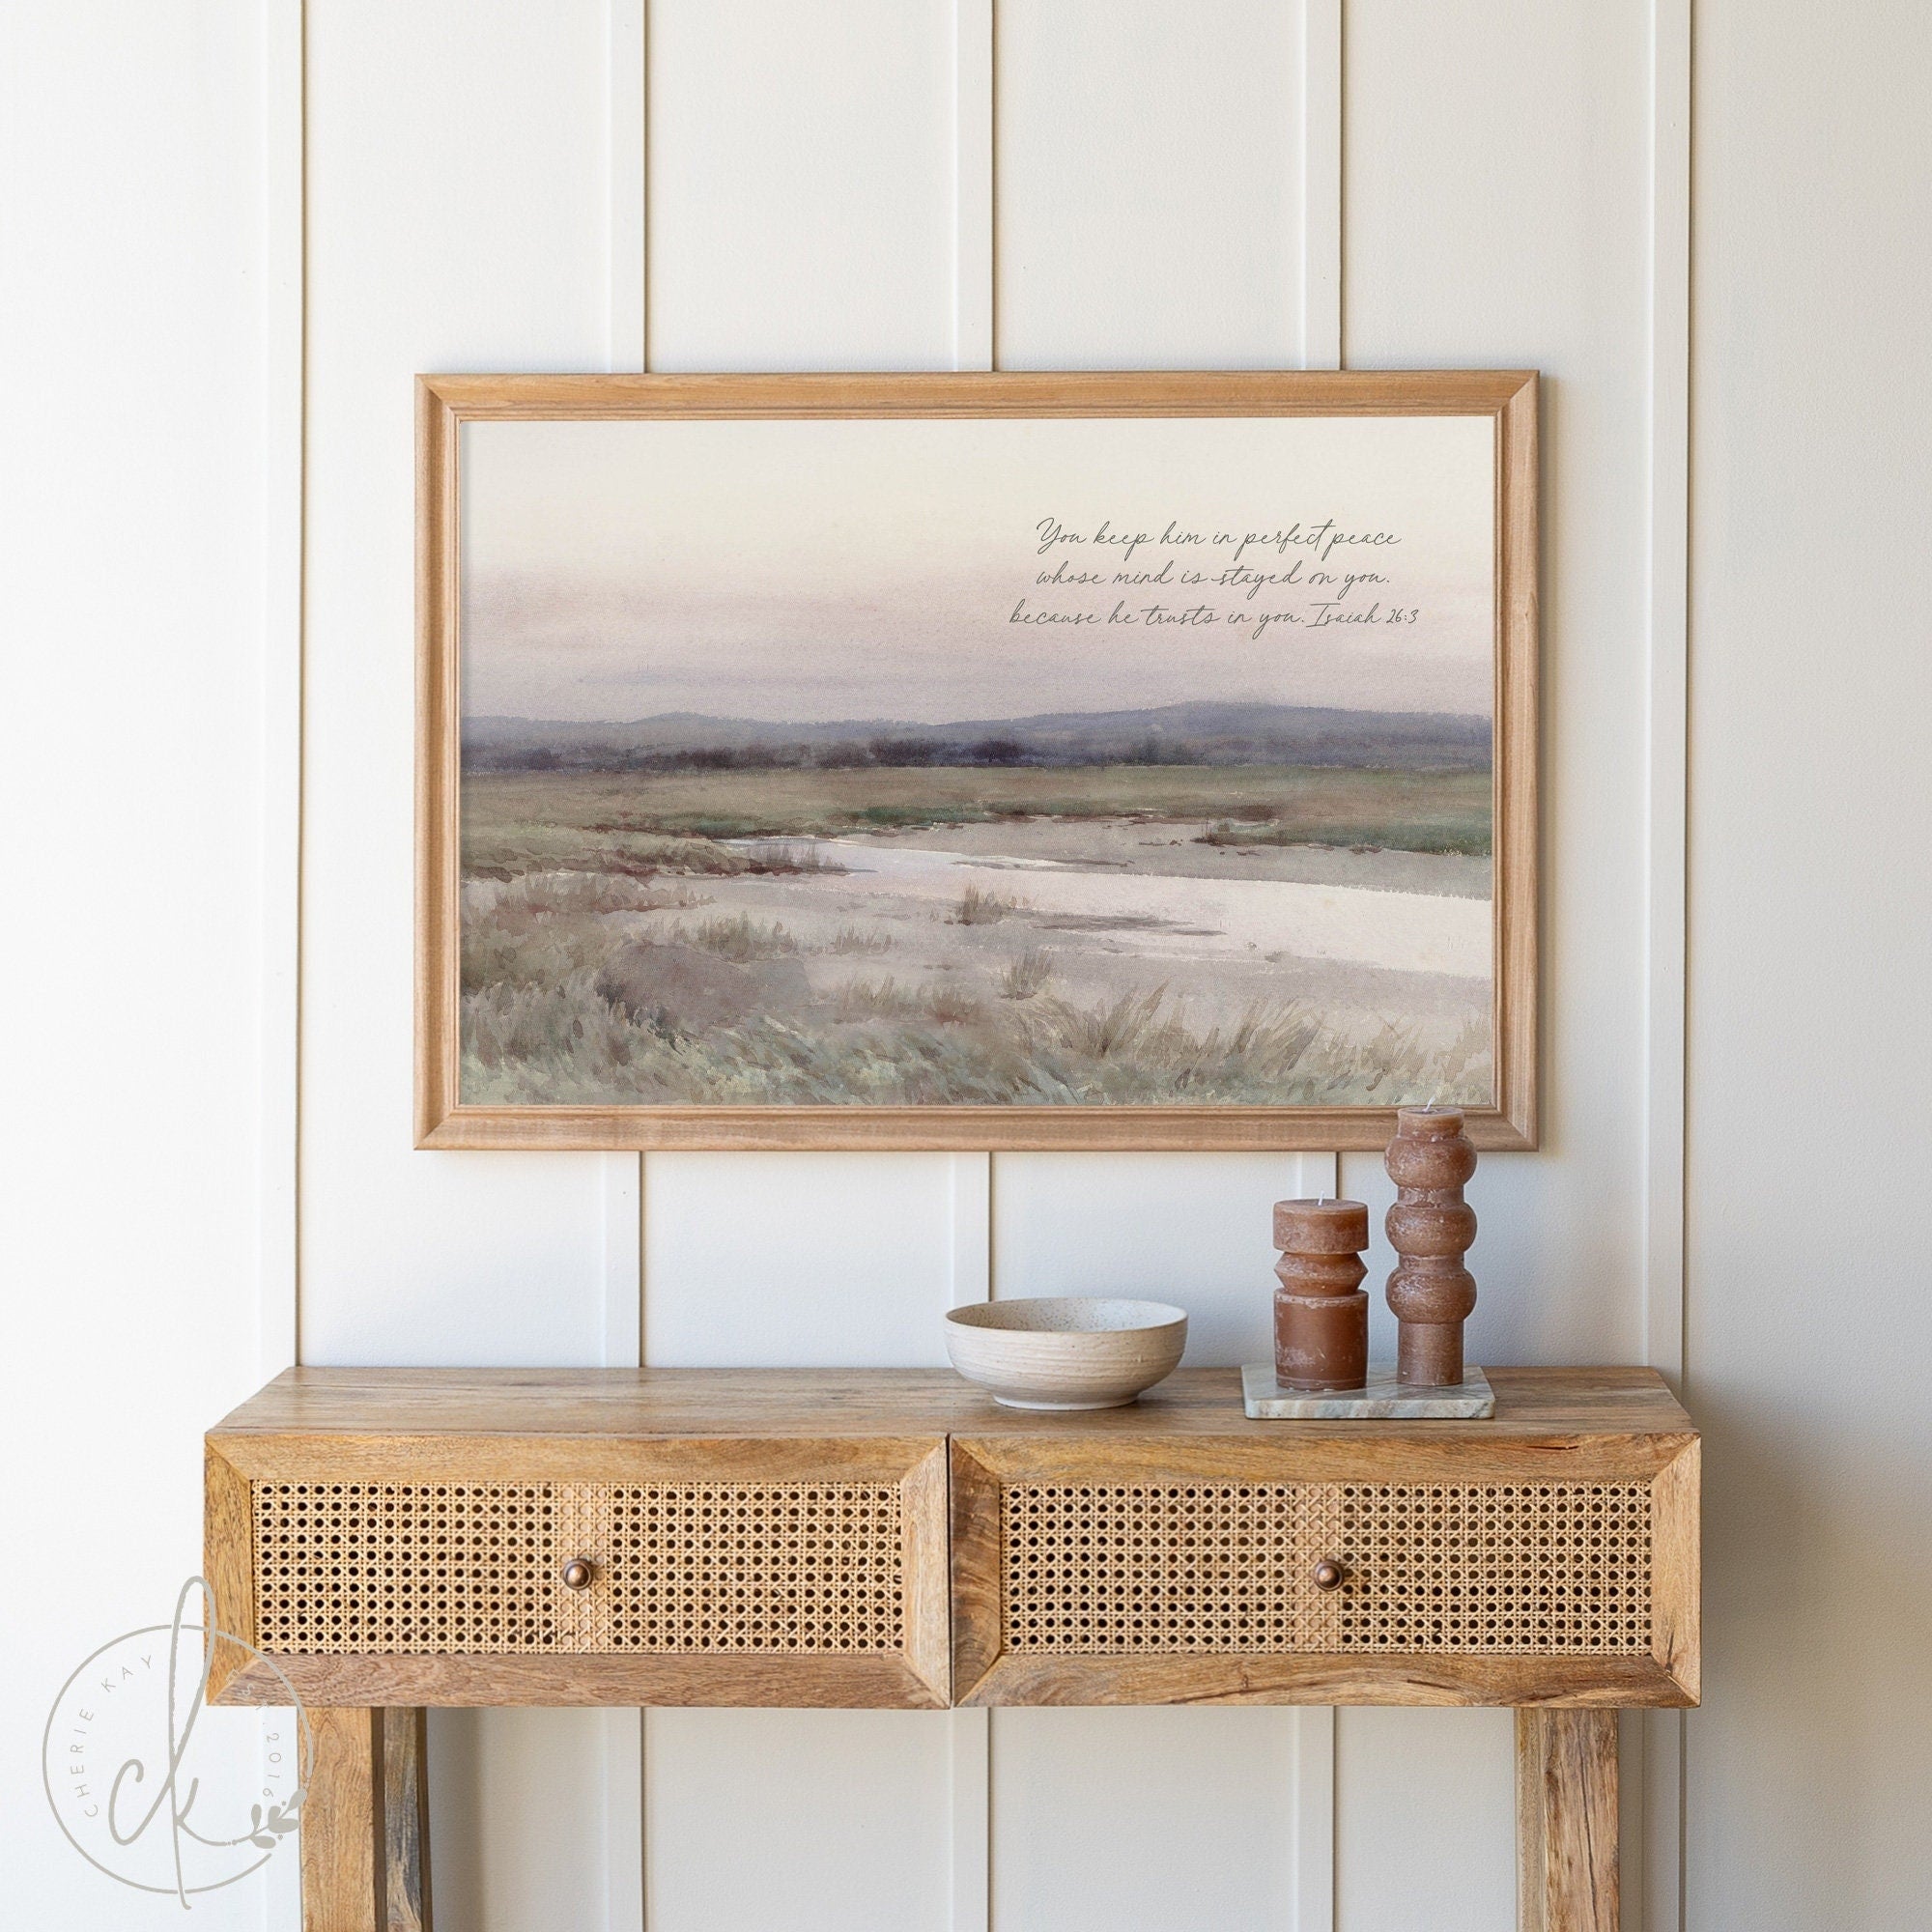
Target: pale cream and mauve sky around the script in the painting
x,y
809,571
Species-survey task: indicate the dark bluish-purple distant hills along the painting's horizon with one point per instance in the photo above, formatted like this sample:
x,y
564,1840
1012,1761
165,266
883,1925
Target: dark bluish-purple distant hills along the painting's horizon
x,y
1168,735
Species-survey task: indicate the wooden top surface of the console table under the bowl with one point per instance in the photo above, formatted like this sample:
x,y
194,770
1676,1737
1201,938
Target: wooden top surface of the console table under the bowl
x,y
698,1404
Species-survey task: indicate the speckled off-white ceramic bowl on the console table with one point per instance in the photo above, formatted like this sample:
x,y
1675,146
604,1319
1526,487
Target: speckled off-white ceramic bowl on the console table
x,y
1065,1351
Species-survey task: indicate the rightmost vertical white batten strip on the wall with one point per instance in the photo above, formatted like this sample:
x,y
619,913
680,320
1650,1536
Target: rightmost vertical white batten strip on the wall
x,y
1659,1848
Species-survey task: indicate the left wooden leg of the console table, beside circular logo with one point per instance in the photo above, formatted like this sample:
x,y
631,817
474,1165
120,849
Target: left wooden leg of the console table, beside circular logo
x,y
366,1825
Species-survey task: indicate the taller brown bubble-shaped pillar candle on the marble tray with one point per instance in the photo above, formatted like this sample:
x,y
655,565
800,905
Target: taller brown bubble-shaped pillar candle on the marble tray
x,y
1431,1230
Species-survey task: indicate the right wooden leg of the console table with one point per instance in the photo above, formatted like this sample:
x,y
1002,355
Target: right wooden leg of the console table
x,y
1568,1821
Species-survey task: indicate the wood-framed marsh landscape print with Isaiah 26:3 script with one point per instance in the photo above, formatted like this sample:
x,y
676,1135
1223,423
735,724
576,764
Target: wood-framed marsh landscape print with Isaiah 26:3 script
x,y
977,760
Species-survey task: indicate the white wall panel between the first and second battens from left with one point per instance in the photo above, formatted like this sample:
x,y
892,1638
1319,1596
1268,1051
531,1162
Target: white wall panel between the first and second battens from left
x,y
457,221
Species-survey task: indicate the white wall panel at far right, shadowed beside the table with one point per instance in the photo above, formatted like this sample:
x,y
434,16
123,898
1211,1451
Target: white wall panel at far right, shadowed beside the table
x,y
1809,1775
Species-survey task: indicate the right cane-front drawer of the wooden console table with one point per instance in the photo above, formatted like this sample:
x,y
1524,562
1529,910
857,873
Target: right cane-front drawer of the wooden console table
x,y
1083,1583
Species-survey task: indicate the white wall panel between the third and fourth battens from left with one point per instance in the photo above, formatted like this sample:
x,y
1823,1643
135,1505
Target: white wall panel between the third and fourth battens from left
x,y
1149,215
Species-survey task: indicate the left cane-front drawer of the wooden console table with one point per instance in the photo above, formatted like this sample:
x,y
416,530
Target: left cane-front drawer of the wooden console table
x,y
704,1570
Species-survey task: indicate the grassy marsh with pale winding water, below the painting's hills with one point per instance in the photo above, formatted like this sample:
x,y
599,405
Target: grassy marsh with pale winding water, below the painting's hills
x,y
1056,934
